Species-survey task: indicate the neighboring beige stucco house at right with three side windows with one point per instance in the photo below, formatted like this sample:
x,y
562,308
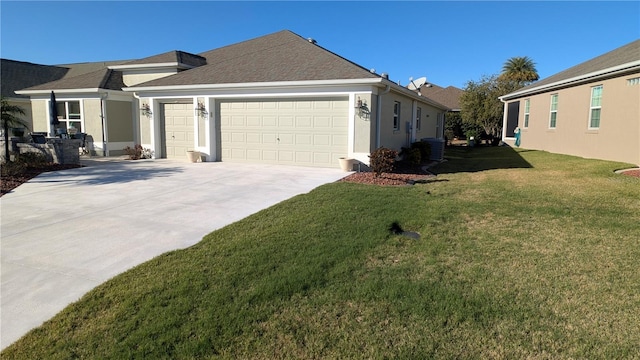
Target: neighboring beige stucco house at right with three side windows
x,y
591,110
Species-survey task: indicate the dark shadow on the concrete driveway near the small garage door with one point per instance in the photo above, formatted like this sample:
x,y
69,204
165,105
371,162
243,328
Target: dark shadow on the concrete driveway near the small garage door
x,y
109,173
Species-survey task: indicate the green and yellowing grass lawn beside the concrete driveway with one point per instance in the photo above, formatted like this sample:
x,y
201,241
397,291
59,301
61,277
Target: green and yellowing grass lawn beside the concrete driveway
x,y
523,254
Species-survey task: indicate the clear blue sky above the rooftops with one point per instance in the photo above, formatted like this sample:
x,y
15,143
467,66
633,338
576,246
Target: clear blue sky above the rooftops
x,y
448,42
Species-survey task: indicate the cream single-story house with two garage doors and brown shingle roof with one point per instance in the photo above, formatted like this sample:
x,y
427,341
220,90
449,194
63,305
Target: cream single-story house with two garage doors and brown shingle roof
x,y
278,98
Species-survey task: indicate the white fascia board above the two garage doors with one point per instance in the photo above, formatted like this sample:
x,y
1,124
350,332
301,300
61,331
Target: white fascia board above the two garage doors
x,y
256,85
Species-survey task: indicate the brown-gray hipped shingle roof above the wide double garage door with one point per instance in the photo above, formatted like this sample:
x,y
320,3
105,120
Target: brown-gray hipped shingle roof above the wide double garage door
x,y
281,56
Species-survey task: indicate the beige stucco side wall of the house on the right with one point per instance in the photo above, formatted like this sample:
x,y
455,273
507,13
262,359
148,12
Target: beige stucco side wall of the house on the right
x,y
618,137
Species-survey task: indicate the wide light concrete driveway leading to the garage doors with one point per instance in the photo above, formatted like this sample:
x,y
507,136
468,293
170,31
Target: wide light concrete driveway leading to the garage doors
x,y
64,233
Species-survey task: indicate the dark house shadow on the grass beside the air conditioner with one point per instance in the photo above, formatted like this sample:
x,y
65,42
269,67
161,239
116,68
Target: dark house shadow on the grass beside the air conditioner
x,y
474,159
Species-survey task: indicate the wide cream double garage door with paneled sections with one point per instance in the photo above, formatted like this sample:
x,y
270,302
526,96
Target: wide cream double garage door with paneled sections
x,y
308,132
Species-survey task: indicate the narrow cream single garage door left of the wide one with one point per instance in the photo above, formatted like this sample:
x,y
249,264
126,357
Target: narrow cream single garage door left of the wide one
x,y
178,130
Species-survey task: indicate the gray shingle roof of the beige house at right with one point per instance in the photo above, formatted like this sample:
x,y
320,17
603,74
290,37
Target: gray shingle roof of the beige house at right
x,y
620,56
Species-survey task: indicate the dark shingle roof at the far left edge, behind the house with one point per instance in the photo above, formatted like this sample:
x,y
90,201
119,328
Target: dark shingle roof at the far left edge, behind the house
x,y
17,75
